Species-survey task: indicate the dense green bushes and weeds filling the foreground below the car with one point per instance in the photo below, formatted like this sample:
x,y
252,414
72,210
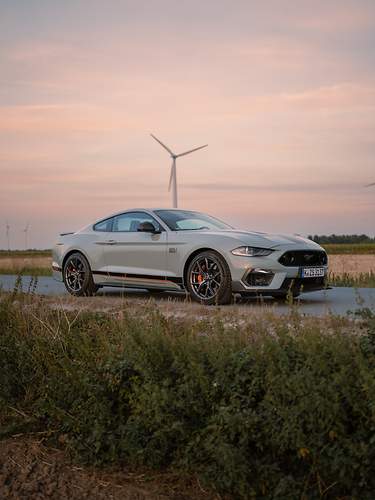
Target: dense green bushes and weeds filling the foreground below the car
x,y
284,409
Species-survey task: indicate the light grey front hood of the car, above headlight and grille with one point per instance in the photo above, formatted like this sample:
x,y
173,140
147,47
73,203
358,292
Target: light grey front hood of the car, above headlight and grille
x,y
266,240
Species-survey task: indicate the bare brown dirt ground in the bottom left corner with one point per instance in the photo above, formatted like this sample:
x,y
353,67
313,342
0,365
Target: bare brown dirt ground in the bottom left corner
x,y
29,470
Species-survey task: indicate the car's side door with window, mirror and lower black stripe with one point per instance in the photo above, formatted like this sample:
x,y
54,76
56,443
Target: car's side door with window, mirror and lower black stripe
x,y
136,258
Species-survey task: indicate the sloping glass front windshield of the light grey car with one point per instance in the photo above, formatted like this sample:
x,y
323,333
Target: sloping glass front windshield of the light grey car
x,y
183,220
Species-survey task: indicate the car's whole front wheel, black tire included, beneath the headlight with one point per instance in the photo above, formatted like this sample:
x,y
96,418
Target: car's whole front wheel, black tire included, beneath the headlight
x,y
208,279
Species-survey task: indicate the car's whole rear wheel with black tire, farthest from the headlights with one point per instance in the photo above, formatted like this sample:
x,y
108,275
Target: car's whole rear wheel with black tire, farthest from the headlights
x,y
77,276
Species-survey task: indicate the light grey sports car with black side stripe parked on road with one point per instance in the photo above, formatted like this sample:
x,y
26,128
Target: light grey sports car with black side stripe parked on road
x,y
159,249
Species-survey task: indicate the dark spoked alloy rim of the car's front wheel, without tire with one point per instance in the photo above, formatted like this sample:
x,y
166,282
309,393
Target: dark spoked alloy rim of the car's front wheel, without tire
x,y
205,278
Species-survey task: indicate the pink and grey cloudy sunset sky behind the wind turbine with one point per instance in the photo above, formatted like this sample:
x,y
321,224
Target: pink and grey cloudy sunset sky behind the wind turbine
x,y
282,91
